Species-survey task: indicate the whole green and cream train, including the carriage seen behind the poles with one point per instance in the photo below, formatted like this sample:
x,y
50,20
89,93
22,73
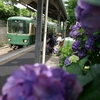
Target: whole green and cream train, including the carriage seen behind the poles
x,y
21,31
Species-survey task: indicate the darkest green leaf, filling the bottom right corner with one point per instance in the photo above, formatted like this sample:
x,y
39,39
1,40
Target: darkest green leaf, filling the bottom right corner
x,y
91,90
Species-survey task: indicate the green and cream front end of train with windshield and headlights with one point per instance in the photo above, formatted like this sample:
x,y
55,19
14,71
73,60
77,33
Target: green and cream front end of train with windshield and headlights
x,y
20,31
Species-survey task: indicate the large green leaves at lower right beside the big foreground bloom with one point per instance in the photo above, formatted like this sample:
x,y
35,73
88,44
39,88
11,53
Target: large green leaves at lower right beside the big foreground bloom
x,y
90,81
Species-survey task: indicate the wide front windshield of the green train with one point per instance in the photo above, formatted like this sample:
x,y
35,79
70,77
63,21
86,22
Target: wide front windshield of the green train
x,y
18,26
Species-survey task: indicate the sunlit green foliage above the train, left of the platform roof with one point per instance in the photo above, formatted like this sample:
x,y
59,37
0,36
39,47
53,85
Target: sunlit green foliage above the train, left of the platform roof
x,y
8,10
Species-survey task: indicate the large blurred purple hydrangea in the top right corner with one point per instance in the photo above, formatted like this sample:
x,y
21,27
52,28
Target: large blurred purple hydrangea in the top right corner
x,y
89,16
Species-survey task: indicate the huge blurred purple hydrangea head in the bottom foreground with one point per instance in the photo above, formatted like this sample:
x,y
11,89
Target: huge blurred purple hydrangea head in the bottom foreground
x,y
37,82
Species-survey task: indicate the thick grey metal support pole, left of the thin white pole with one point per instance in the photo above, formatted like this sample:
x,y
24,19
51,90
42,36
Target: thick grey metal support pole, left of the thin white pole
x,y
38,32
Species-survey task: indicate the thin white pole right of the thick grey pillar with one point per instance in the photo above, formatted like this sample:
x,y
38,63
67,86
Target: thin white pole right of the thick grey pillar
x,y
45,31
